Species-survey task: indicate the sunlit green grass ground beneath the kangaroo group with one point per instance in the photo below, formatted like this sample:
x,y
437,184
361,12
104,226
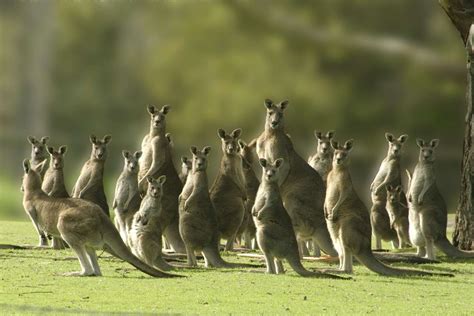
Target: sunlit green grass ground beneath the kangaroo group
x,y
31,283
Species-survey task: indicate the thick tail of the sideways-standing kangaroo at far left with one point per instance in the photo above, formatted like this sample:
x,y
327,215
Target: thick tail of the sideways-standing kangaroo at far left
x,y
115,245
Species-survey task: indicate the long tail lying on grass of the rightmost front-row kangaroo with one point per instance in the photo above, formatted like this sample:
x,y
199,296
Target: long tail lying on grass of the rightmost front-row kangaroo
x,y
367,258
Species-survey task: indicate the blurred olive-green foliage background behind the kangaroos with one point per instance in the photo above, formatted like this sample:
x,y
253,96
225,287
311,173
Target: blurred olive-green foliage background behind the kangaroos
x,y
360,67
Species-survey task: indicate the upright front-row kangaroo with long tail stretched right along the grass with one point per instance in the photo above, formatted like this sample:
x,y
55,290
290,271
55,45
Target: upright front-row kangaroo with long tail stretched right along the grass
x,y
349,221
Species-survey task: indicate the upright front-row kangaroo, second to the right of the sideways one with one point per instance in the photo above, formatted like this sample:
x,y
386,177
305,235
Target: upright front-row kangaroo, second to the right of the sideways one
x,y
197,216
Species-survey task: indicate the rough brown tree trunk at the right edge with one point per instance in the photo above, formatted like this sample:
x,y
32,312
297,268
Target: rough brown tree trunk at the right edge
x,y
461,13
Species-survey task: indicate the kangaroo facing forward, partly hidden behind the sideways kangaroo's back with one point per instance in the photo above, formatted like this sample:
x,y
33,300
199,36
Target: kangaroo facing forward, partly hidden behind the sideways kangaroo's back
x,y
53,182
